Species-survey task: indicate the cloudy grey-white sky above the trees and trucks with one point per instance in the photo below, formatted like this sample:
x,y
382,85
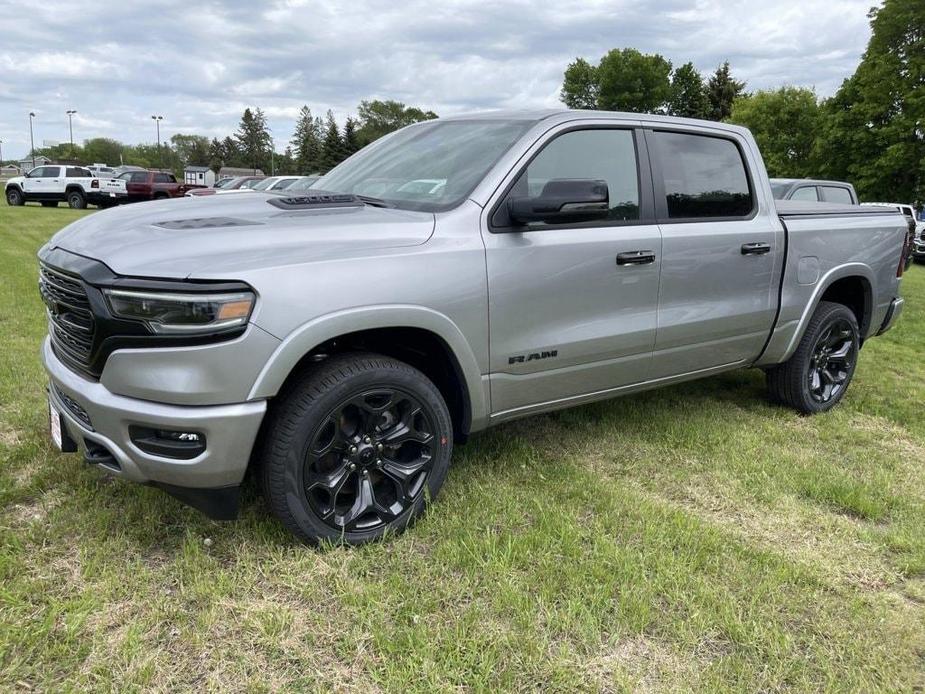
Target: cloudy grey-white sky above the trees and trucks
x,y
200,63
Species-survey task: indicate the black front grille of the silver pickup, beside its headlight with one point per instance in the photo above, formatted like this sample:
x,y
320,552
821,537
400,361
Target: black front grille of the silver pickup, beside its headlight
x,y
70,320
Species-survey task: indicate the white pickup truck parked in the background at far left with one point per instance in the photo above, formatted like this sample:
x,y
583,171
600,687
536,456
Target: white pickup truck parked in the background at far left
x,y
74,185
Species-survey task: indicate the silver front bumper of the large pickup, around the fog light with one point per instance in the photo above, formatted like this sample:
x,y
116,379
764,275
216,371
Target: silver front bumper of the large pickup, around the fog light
x,y
230,431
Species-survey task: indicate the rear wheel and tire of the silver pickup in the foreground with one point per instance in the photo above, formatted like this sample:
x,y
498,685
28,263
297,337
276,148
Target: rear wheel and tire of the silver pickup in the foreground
x,y
818,374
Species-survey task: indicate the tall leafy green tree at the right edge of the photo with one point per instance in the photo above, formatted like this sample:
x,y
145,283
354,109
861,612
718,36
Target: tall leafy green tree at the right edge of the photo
x,y
874,128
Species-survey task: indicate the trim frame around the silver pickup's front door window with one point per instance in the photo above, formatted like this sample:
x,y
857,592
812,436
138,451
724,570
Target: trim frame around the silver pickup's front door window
x,y
643,175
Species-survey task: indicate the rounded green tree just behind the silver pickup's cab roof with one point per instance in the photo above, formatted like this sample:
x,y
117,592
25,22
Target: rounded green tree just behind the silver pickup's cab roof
x,y
785,123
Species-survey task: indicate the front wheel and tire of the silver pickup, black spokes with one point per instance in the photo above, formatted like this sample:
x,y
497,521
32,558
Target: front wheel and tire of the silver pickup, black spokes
x,y
355,449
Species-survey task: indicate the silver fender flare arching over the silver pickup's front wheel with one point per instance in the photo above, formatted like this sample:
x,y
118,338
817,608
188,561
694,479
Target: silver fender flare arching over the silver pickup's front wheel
x,y
329,326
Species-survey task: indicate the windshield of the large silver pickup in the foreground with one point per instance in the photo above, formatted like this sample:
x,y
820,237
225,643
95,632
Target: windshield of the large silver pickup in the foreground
x,y
426,167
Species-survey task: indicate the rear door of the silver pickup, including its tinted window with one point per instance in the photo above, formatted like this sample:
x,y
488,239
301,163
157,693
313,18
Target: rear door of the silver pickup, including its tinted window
x,y
720,244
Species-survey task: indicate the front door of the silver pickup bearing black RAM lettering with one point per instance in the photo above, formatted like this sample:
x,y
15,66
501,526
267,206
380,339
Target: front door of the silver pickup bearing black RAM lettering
x,y
566,317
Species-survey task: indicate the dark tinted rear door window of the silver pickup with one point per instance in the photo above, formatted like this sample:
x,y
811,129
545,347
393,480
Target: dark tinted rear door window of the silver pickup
x,y
704,176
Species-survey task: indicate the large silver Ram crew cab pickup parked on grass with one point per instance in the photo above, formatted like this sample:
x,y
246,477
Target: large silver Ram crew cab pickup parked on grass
x,y
453,275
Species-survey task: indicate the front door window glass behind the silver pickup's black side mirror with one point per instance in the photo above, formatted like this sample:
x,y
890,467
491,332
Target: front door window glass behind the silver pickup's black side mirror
x,y
601,154
